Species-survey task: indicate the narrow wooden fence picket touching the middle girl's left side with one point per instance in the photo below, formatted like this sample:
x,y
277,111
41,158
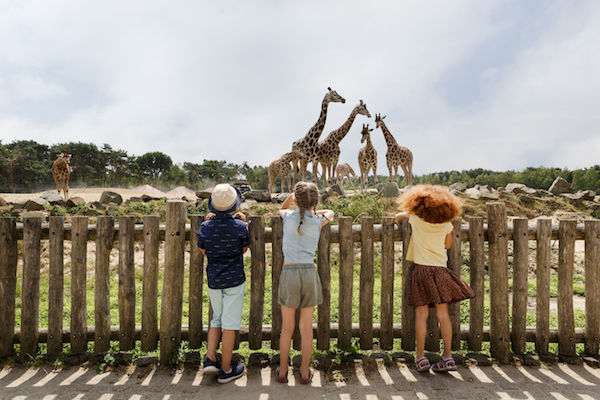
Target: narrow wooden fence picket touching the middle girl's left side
x,y
277,264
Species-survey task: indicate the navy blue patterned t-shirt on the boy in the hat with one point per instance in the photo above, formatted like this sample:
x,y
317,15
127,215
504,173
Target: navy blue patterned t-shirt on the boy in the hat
x,y
223,239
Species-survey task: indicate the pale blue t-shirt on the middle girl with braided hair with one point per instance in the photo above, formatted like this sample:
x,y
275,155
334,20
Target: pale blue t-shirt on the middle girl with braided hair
x,y
300,248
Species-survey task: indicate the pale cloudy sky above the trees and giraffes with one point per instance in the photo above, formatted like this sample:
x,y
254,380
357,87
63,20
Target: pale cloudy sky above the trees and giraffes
x,y
495,84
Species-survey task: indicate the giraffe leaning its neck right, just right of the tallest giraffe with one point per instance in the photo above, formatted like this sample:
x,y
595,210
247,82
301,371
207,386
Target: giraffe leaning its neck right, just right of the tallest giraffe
x,y
329,149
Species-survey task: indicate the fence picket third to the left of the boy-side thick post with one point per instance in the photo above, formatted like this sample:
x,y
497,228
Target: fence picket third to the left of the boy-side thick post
x,y
105,235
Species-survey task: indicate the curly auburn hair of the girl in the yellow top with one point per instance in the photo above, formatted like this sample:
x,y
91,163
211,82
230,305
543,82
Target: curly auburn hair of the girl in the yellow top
x,y
432,203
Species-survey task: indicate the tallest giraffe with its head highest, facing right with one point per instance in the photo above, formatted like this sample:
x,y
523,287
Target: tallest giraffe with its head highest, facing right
x,y
306,149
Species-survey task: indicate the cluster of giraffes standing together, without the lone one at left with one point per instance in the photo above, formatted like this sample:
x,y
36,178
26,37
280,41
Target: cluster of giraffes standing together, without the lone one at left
x,y
309,150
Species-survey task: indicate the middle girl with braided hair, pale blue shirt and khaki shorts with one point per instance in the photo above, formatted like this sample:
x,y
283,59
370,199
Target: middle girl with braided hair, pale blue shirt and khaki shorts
x,y
299,284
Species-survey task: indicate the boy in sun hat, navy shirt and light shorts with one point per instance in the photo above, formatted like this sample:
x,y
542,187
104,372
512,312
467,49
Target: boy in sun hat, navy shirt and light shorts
x,y
223,238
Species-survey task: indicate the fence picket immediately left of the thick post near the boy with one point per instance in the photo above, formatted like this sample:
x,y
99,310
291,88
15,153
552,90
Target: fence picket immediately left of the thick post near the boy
x,y
150,283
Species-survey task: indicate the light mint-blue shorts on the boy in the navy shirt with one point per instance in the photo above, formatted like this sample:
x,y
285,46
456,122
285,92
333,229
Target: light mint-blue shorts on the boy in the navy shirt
x,y
227,305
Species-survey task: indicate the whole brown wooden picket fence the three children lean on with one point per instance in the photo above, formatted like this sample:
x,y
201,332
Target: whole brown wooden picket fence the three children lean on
x,y
503,337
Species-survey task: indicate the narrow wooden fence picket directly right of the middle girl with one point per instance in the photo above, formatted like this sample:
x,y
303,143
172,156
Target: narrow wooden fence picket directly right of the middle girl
x,y
324,309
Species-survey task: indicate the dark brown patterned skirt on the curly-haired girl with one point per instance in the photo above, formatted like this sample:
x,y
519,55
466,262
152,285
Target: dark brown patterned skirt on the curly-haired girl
x,y
431,285
